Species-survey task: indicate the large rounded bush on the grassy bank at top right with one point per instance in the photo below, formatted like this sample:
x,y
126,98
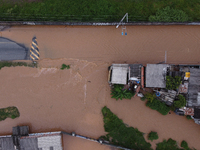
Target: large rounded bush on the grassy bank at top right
x,y
168,14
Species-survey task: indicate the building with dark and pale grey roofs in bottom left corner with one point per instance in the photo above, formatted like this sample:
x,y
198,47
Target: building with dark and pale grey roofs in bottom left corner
x,y
22,140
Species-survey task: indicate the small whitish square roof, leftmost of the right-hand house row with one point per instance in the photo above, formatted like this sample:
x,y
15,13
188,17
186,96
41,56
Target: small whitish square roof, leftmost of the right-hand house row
x,y
119,74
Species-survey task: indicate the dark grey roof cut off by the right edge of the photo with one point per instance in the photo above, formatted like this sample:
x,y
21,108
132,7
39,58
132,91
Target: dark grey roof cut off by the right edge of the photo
x,y
194,88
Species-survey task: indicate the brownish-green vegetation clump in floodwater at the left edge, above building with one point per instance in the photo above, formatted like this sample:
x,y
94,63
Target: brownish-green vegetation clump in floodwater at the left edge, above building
x,y
9,112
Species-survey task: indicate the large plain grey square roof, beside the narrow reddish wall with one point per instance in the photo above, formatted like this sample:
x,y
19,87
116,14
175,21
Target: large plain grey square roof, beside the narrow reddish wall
x,y
155,75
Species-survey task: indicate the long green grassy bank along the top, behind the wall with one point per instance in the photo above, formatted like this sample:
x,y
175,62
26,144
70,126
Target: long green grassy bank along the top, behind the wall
x,y
99,10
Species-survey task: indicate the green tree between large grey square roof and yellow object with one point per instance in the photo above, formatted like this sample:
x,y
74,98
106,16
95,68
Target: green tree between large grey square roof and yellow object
x,y
173,83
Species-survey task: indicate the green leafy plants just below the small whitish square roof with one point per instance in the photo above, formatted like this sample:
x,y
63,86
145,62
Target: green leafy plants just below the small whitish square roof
x,y
119,93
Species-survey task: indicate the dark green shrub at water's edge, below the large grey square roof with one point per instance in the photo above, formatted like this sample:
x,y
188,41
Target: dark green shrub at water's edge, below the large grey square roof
x,y
159,106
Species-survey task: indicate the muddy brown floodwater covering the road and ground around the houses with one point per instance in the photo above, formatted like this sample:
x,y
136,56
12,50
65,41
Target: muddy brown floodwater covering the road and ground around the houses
x,y
50,99
